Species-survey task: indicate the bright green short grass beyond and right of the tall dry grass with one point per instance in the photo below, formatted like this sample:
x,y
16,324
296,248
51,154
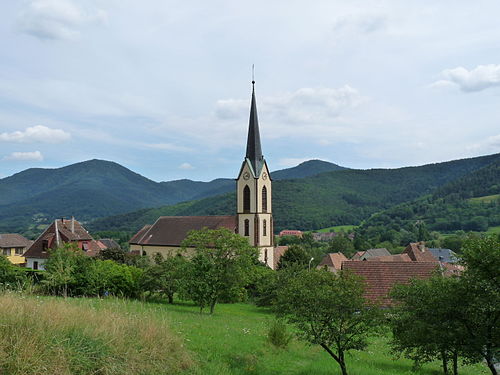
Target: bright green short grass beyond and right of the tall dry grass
x,y
234,341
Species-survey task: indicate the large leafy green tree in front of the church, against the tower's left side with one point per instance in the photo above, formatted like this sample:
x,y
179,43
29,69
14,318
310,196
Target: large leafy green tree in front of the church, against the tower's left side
x,y
220,267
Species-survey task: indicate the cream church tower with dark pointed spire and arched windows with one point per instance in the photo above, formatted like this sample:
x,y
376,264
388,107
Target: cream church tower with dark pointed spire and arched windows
x,y
254,193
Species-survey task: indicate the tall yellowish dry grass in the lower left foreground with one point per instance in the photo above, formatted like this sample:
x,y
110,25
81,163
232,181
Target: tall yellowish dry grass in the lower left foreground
x,y
50,336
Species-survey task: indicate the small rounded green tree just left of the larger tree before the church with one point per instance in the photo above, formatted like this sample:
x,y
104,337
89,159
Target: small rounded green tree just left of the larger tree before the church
x,y
164,276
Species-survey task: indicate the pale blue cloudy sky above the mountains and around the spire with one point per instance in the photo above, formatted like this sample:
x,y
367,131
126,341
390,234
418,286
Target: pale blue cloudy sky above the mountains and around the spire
x,y
163,87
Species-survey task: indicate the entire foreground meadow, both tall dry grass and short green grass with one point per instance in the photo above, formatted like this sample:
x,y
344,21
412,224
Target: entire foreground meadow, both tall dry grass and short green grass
x,y
114,336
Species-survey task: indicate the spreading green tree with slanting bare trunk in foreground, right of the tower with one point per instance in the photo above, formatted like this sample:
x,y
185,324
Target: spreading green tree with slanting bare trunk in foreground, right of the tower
x,y
329,310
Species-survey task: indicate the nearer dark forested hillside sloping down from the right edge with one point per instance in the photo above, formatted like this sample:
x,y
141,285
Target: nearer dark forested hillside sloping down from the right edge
x,y
471,202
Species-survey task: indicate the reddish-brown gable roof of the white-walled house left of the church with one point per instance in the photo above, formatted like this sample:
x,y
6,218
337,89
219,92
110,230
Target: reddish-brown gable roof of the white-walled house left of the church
x,y
67,231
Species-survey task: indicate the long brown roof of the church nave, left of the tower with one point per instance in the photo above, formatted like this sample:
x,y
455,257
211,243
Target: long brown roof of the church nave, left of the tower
x,y
172,230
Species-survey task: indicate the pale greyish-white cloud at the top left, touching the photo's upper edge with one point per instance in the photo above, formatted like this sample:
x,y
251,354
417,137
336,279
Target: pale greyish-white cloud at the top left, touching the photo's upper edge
x,y
56,19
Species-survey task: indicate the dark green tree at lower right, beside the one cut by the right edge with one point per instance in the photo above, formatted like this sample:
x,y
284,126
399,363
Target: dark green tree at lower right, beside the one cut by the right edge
x,y
425,322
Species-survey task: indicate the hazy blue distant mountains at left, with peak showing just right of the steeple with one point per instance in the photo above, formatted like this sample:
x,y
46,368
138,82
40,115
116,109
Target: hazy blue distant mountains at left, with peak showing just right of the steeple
x,y
98,188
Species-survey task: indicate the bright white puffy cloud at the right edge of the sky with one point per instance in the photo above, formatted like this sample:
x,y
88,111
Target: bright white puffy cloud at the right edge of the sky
x,y
477,79
